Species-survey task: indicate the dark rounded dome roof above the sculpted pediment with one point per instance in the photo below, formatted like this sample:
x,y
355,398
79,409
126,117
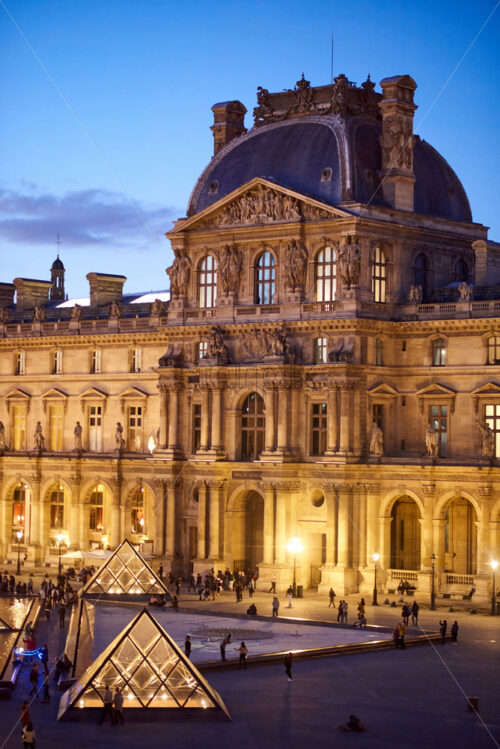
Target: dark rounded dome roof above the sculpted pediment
x,y
295,153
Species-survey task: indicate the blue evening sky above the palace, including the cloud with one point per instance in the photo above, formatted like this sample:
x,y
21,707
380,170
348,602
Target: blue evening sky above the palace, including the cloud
x,y
141,77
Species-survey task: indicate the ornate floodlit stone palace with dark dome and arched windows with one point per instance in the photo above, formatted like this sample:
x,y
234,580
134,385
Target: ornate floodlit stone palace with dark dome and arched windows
x,y
326,366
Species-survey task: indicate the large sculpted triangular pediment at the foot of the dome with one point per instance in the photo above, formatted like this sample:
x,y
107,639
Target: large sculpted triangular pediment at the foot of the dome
x,y
257,203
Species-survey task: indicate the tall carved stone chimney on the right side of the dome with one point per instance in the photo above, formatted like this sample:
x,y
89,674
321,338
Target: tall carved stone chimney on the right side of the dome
x,y
397,108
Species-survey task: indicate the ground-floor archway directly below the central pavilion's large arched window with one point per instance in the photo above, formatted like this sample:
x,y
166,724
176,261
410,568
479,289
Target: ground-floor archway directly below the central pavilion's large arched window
x,y
247,531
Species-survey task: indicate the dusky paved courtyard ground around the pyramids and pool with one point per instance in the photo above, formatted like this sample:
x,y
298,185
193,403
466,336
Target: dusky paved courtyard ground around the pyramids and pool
x,y
412,698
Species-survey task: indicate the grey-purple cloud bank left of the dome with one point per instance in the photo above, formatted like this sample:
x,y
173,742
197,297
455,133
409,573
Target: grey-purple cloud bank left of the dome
x,y
84,218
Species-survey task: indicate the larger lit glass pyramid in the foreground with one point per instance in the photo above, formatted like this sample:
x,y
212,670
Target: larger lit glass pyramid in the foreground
x,y
145,663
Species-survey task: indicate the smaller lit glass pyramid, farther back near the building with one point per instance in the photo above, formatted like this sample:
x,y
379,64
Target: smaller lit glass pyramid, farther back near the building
x,y
124,574
